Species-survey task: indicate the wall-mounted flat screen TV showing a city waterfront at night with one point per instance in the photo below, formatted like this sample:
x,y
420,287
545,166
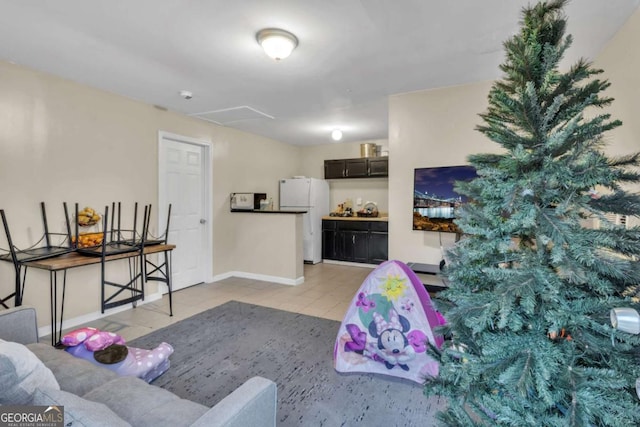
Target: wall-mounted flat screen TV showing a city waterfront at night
x,y
435,202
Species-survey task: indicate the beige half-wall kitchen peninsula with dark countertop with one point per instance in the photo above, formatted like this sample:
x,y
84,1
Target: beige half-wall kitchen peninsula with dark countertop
x,y
271,245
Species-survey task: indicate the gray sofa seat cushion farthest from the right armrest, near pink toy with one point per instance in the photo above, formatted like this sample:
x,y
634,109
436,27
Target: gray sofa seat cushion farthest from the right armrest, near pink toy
x,y
74,375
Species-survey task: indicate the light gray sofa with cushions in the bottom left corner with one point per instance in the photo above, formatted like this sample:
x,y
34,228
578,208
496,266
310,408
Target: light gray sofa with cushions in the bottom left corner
x,y
95,396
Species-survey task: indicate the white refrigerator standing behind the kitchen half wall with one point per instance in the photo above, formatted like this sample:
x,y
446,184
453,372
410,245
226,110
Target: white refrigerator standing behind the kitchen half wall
x,y
312,195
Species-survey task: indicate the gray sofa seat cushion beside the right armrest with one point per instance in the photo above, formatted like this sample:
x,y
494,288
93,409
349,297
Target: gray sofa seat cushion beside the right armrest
x,y
141,404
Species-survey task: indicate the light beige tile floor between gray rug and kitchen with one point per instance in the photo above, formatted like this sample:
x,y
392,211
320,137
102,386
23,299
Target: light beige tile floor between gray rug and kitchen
x,y
326,292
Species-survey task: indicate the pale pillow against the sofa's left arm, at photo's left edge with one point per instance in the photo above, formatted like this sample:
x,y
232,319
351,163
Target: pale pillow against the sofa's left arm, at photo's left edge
x,y
21,372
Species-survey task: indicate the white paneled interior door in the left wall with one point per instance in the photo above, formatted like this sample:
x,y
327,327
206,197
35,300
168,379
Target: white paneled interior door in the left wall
x,y
184,169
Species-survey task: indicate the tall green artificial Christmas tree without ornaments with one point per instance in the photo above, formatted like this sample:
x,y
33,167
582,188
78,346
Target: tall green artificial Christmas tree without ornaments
x,y
532,282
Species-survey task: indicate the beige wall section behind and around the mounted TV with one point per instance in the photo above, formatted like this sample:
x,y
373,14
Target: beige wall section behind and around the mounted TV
x,y
428,128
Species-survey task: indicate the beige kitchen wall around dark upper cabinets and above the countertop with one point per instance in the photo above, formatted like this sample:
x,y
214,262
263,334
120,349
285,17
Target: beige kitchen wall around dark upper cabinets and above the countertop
x,y
369,189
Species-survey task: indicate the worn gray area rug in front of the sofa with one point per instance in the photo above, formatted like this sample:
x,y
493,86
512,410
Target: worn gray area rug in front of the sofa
x,y
219,349
